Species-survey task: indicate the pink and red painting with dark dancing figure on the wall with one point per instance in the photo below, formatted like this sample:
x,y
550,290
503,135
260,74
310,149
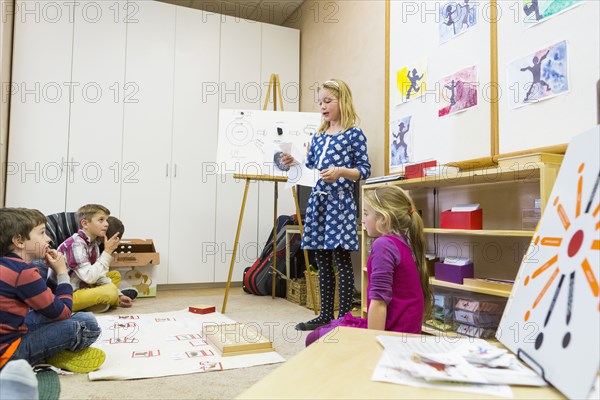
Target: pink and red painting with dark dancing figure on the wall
x,y
458,91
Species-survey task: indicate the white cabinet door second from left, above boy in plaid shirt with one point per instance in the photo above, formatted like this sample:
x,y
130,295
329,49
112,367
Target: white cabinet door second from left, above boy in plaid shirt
x,y
96,128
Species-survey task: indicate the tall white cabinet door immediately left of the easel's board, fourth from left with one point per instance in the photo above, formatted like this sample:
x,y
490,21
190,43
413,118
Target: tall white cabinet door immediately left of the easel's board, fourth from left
x,y
192,245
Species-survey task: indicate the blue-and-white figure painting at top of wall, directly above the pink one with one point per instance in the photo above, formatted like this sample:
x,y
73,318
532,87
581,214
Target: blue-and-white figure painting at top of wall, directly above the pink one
x,y
456,17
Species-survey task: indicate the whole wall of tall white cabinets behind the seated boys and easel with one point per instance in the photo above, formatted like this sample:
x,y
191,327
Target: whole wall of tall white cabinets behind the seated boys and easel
x,y
139,134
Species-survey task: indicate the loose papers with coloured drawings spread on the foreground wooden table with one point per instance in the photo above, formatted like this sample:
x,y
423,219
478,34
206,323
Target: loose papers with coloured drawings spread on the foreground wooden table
x,y
469,365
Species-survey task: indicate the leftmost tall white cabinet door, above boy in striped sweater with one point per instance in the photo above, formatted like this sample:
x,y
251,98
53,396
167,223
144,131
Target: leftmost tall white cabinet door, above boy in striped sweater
x,y
39,122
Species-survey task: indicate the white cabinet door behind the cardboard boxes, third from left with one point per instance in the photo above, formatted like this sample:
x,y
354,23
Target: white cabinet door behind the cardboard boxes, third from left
x,y
145,183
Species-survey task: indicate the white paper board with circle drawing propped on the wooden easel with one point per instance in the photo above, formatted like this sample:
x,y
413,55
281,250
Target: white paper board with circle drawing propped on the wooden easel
x,y
251,141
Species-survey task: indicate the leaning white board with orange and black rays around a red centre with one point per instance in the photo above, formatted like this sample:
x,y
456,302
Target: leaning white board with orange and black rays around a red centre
x,y
552,319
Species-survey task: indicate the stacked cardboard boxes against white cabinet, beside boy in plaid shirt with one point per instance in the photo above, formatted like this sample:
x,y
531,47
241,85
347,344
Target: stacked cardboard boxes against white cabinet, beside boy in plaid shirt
x,y
136,260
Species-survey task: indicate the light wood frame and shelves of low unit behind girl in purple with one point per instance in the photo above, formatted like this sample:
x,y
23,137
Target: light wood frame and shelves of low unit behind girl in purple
x,y
543,174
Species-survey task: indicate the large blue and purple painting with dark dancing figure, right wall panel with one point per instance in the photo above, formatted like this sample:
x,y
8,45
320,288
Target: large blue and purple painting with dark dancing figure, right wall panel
x,y
539,76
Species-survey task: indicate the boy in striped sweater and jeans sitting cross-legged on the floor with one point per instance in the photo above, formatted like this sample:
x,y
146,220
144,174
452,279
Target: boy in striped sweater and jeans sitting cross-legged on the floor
x,y
36,323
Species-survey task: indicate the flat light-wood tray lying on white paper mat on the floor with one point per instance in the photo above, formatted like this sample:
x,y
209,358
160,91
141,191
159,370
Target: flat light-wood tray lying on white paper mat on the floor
x,y
236,339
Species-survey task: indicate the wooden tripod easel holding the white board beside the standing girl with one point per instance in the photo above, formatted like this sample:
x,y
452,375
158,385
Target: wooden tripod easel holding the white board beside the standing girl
x,y
276,86
